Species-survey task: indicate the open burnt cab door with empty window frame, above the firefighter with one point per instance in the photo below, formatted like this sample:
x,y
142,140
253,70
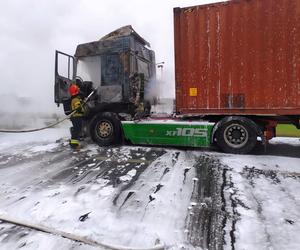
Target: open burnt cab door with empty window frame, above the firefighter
x,y
65,72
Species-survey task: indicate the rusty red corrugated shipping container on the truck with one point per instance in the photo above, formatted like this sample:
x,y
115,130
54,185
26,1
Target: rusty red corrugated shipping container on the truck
x,y
238,57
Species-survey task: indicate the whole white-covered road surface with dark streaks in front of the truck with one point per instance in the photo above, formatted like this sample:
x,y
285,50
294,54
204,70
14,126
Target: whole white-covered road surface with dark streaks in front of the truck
x,y
142,197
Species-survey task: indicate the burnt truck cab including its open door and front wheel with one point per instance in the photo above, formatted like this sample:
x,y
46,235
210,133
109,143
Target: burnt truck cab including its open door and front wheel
x,y
119,67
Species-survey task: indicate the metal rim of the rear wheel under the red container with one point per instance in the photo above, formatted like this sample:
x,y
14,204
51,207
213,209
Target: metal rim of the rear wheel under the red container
x,y
236,135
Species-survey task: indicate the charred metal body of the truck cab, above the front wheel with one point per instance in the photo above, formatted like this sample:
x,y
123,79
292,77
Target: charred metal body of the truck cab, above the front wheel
x,y
125,65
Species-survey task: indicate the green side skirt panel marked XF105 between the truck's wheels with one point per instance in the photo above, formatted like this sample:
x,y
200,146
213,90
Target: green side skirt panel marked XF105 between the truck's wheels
x,y
171,133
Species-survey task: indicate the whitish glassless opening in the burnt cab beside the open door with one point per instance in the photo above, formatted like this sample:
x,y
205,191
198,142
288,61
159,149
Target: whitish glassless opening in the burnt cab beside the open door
x,y
89,69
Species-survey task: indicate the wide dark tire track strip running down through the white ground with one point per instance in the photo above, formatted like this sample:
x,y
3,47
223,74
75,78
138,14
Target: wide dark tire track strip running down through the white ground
x,y
207,216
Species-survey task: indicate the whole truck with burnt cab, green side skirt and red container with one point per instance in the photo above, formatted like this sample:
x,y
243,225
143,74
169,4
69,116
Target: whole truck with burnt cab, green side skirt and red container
x,y
237,76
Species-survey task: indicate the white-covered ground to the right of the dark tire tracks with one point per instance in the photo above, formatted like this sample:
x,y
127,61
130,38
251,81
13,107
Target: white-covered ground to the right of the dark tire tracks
x,y
268,187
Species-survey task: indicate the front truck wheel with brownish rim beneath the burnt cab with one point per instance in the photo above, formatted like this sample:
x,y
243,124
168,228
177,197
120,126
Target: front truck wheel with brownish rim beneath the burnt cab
x,y
105,129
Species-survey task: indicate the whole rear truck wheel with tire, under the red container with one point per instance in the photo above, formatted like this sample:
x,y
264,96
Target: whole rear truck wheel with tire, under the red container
x,y
236,136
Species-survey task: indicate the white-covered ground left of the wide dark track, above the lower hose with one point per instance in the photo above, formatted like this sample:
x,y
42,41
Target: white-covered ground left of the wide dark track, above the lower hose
x,y
56,193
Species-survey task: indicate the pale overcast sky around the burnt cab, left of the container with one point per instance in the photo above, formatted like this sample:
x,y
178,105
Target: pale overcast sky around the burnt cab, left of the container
x,y
31,30
